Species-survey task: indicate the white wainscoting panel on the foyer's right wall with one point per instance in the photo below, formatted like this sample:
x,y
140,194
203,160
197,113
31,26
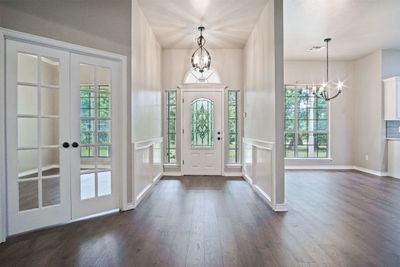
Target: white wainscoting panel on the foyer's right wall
x,y
259,168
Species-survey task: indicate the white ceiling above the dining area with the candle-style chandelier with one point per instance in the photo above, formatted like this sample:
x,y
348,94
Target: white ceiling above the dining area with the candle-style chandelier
x,y
357,27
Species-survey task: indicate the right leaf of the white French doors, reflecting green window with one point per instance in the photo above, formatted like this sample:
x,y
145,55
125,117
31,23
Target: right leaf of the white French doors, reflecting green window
x,y
94,118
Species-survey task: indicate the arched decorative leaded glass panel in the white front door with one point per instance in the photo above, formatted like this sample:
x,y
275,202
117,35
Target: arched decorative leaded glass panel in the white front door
x,y
202,123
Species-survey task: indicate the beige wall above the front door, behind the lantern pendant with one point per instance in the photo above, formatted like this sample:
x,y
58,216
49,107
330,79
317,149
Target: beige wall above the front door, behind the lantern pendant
x,y
227,63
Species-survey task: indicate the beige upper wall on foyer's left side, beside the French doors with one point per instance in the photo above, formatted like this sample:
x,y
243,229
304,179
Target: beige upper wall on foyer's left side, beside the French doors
x,y
146,87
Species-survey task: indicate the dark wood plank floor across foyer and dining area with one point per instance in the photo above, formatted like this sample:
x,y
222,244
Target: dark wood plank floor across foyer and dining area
x,y
335,218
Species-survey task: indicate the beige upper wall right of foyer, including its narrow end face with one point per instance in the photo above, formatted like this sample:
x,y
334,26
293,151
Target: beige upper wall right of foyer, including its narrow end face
x,y
263,83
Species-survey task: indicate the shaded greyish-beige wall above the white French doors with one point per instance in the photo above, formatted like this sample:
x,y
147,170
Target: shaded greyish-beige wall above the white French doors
x,y
85,23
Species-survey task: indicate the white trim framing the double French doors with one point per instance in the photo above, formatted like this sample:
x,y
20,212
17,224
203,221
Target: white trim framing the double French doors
x,y
72,48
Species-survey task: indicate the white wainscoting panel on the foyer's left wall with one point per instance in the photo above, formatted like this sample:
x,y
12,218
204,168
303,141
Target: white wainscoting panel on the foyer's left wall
x,y
147,167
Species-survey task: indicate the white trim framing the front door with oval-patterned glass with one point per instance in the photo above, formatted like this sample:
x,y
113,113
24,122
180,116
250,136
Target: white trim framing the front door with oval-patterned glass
x,y
202,87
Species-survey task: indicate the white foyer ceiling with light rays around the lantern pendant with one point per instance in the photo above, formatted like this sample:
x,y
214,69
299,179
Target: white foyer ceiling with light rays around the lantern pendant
x,y
228,22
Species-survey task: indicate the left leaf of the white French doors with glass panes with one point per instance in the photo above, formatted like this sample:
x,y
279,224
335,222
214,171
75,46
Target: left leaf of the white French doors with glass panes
x,y
38,166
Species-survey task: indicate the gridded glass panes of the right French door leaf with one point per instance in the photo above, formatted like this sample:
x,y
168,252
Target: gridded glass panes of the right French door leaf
x,y
95,131
